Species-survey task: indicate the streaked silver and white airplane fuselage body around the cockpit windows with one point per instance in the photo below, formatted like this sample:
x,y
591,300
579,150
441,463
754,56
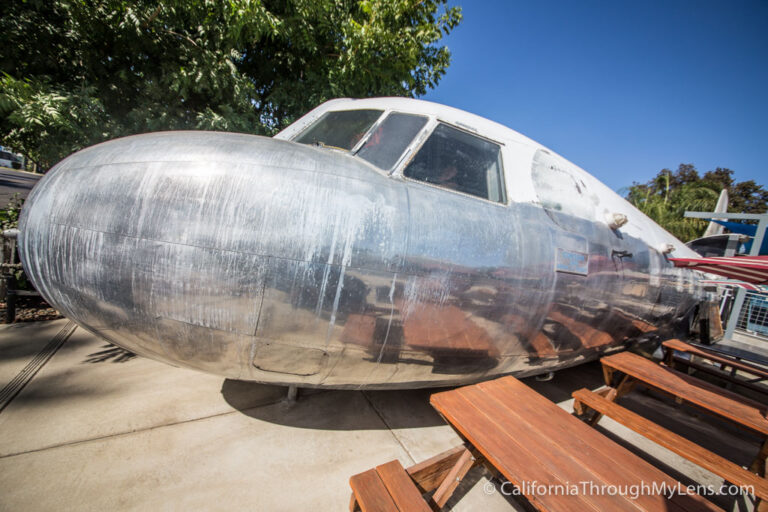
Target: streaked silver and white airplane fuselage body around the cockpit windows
x,y
268,260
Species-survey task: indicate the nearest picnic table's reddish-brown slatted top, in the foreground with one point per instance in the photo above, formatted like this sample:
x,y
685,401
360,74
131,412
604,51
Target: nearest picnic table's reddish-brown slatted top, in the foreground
x,y
528,439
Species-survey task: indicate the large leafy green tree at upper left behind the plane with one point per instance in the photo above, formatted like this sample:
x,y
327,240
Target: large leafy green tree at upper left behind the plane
x,y
76,72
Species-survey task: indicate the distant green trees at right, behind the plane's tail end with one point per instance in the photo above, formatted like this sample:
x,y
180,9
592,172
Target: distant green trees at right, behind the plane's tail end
x,y
667,197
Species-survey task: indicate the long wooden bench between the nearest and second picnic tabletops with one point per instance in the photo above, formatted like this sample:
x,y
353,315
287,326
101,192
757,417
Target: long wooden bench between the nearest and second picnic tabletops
x,y
712,462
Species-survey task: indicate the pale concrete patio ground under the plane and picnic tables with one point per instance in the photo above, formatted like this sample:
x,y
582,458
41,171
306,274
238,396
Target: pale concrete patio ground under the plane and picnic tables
x,y
87,426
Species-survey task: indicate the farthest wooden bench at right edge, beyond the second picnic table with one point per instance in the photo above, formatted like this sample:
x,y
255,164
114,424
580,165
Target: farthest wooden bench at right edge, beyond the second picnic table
x,y
674,347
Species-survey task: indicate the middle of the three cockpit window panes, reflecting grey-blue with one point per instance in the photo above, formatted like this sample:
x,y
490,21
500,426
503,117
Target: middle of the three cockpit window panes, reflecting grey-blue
x,y
385,145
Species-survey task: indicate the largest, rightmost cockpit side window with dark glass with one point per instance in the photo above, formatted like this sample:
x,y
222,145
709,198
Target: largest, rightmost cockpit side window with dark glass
x,y
457,160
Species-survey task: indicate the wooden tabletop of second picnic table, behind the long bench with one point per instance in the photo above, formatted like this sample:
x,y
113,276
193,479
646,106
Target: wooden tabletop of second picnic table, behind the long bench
x,y
741,410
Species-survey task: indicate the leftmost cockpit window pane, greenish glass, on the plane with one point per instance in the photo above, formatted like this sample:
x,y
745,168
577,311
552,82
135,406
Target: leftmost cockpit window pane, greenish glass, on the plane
x,y
340,129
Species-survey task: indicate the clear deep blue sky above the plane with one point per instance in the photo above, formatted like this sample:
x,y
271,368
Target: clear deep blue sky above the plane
x,y
621,88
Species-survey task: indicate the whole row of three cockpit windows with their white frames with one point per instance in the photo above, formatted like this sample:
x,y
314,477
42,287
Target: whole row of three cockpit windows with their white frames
x,y
445,156
